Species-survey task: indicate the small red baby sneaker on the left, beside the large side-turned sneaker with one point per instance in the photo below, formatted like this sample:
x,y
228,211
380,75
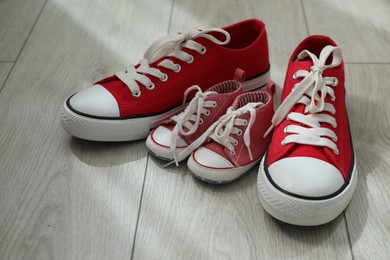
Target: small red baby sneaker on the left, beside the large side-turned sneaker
x,y
176,138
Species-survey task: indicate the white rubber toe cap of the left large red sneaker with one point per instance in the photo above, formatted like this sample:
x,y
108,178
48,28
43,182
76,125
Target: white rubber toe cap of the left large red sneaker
x,y
95,101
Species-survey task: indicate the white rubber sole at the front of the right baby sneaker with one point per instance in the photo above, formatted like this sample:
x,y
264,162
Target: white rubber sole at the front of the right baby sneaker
x,y
215,175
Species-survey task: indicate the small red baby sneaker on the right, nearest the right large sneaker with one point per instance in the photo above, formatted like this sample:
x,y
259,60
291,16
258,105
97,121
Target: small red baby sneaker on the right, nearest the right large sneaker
x,y
237,142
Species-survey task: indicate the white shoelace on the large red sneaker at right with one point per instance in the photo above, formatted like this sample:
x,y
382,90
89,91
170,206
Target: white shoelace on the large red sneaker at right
x,y
307,93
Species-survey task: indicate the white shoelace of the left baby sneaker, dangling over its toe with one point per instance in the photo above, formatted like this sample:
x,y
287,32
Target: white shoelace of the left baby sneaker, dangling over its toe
x,y
190,118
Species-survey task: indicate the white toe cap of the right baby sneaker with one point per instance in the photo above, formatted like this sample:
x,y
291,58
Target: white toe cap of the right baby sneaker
x,y
208,158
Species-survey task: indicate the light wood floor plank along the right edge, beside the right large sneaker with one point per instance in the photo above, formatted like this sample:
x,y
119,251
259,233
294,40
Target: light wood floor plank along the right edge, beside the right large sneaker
x,y
368,214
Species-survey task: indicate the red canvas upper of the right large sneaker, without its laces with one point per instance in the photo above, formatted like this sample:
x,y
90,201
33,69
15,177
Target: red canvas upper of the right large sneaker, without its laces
x,y
276,151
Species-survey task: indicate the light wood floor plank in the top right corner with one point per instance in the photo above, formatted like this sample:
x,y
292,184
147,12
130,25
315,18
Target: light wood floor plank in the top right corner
x,y
361,28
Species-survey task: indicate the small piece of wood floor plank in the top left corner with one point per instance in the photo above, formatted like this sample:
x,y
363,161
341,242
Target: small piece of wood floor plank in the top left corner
x,y
16,20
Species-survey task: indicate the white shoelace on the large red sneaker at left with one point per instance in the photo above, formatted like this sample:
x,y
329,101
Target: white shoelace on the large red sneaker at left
x,y
169,46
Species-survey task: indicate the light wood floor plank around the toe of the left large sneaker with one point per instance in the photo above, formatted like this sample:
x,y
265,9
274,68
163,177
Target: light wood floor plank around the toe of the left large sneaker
x,y
62,198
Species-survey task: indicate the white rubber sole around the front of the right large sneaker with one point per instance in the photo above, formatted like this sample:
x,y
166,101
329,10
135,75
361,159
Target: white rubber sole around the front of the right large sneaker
x,y
303,212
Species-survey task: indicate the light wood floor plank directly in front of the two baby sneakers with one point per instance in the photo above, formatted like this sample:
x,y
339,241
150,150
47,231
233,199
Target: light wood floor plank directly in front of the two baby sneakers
x,y
183,218
